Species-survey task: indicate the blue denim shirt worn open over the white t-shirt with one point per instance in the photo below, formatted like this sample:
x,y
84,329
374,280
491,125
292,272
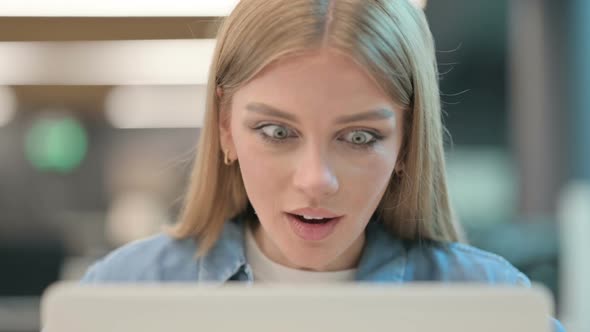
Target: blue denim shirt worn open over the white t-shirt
x,y
384,259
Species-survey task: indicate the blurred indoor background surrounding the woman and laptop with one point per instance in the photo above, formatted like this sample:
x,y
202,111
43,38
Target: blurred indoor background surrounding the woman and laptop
x,y
100,109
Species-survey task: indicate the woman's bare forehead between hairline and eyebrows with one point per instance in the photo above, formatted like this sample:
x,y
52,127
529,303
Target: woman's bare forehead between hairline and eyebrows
x,y
325,79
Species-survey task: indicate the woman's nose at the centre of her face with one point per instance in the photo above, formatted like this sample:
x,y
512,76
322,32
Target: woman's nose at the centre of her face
x,y
313,174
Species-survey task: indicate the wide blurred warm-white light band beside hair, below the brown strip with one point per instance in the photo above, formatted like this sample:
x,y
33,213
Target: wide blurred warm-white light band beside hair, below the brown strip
x,y
106,62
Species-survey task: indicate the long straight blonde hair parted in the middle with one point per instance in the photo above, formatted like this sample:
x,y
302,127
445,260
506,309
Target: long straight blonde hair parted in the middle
x,y
392,41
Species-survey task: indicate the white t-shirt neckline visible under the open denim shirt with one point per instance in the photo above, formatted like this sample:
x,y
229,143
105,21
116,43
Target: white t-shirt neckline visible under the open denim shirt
x,y
268,271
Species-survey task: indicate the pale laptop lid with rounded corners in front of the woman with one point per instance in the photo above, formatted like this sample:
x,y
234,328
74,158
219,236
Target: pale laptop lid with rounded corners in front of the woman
x,y
356,307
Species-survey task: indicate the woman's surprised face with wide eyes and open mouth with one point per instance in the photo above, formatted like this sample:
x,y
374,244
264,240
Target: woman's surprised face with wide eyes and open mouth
x,y
314,136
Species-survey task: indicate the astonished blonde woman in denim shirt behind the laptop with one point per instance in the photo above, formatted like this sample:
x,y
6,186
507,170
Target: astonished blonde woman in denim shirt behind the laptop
x,y
321,157
